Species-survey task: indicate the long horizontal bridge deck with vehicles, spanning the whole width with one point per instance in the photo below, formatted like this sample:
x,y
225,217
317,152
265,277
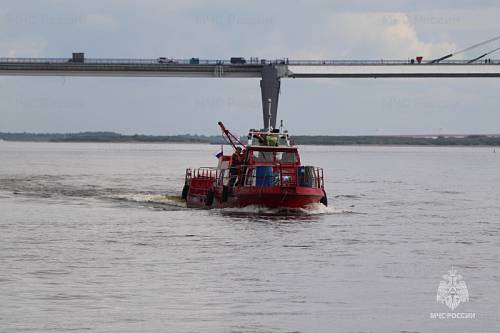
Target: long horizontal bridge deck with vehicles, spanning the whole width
x,y
223,68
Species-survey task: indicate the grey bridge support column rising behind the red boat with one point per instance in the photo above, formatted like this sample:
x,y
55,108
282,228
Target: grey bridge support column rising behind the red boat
x,y
270,88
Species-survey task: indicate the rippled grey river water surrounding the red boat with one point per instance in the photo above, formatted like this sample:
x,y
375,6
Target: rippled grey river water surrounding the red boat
x,y
93,238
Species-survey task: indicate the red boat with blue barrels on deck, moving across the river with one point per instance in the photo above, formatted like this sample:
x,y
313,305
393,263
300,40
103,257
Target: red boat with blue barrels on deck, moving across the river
x,y
266,172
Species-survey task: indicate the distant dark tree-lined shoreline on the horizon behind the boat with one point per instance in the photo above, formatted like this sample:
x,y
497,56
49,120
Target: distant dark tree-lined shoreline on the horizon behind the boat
x,y
325,140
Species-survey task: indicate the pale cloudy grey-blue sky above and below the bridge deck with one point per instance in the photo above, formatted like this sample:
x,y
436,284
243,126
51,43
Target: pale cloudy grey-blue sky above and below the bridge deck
x,y
300,29
